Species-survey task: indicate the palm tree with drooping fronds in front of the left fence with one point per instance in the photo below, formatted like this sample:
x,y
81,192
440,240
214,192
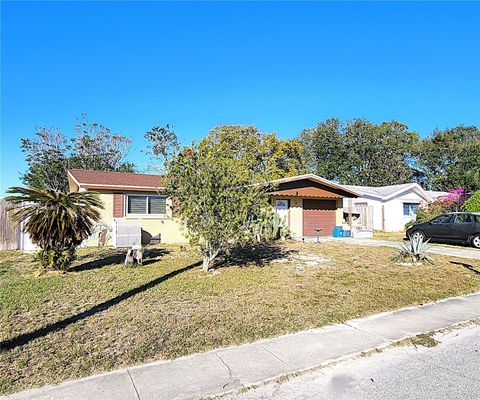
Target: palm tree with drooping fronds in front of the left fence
x,y
56,221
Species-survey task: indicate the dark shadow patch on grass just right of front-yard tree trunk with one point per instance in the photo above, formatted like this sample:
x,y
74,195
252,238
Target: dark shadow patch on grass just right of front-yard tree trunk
x,y
258,255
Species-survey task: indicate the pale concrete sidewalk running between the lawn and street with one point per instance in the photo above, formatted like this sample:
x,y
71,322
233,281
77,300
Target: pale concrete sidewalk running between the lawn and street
x,y
224,369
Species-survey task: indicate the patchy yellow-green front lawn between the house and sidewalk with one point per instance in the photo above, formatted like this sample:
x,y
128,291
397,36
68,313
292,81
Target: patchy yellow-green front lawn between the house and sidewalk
x,y
103,315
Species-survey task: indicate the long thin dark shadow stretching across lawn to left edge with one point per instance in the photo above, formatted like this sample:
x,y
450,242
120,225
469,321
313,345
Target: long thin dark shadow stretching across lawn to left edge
x,y
25,338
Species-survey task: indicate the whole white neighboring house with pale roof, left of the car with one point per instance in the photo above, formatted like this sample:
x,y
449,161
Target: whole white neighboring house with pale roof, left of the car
x,y
392,206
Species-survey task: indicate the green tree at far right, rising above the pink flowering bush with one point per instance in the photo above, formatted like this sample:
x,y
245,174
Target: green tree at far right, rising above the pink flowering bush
x,y
450,158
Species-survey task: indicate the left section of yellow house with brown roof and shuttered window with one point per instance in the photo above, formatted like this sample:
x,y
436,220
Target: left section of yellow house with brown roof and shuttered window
x,y
130,197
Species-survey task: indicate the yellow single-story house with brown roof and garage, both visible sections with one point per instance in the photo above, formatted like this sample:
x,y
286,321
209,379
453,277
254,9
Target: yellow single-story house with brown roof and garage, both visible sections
x,y
305,202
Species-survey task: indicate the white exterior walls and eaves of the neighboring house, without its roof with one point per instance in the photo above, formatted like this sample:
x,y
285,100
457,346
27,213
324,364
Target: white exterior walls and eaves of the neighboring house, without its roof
x,y
393,210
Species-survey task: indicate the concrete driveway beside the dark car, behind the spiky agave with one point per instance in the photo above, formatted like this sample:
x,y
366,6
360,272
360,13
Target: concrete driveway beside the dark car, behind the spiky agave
x,y
453,251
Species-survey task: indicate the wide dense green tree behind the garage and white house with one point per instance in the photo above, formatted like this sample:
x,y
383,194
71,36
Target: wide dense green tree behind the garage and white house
x,y
359,152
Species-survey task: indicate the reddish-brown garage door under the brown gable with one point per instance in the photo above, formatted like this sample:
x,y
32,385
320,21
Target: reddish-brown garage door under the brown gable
x,y
318,214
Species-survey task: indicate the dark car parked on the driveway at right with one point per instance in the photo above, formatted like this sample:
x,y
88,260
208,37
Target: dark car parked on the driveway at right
x,y
452,227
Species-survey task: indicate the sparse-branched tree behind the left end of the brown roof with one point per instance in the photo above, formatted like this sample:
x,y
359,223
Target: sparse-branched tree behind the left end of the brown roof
x,y
93,146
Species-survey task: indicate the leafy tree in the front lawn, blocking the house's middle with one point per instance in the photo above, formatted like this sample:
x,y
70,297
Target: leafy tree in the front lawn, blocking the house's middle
x,y
216,201
